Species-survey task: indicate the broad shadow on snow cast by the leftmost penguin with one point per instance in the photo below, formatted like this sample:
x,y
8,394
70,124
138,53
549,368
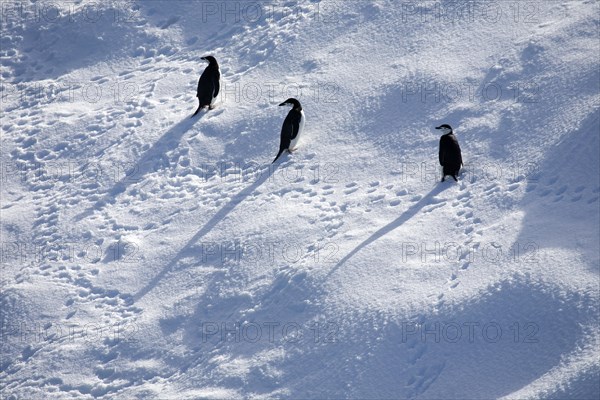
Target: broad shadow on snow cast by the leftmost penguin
x,y
169,141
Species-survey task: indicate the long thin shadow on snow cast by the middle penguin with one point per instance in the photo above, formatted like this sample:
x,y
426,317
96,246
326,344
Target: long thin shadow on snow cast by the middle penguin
x,y
219,216
